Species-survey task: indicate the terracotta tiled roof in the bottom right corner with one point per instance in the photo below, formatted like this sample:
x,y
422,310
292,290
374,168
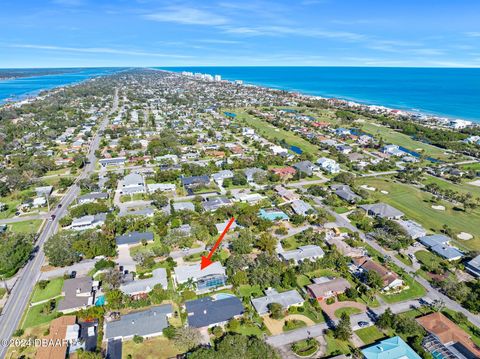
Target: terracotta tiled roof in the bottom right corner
x,y
447,331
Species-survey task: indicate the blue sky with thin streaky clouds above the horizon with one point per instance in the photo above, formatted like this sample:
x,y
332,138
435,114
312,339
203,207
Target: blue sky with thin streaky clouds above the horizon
x,y
68,33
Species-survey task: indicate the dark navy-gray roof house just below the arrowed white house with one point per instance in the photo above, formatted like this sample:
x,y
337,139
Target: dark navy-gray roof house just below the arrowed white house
x,y
208,312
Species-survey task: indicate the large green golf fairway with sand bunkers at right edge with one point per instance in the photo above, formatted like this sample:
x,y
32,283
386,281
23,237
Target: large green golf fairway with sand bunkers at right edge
x,y
417,206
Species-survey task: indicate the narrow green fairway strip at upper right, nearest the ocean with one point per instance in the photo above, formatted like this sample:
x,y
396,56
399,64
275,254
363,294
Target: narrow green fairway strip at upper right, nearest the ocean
x,y
397,138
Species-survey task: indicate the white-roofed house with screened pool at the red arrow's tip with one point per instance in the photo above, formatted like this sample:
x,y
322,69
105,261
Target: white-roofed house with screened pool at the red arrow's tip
x,y
211,277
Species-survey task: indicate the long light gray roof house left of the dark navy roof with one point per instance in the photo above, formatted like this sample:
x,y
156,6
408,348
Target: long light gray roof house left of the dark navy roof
x,y
148,323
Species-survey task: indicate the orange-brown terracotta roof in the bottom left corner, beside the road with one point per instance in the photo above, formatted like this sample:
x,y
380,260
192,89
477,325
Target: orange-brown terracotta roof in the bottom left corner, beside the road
x,y
58,331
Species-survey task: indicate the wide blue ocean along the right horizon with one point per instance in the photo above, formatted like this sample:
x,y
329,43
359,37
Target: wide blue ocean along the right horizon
x,y
441,91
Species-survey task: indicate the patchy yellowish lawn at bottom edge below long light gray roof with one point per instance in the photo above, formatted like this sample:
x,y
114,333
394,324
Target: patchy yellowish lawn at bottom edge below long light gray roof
x,y
158,347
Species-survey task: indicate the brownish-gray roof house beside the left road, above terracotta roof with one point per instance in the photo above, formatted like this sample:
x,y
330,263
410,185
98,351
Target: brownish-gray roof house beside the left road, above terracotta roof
x,y
78,294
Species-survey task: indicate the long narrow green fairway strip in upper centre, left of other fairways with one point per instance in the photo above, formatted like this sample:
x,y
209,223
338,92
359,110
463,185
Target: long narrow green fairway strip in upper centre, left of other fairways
x,y
271,132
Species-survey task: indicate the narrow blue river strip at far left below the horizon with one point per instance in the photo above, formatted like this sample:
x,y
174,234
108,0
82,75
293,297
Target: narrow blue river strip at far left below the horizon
x,y
29,86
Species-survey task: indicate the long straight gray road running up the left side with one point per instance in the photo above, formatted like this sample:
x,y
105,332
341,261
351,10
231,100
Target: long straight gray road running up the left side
x,y
29,275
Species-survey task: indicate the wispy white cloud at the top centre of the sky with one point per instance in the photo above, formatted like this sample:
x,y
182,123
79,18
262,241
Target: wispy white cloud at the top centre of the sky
x,y
188,16
